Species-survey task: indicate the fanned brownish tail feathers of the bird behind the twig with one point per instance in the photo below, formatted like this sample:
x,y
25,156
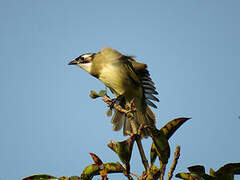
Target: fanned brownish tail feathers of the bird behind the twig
x,y
120,120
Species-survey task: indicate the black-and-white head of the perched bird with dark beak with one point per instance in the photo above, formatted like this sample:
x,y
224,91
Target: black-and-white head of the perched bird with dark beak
x,y
84,61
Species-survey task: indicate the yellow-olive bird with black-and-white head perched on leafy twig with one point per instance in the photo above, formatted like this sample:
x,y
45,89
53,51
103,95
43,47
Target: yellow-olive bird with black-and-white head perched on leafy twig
x,y
128,80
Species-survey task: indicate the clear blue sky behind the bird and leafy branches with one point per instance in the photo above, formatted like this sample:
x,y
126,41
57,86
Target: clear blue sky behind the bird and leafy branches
x,y
48,122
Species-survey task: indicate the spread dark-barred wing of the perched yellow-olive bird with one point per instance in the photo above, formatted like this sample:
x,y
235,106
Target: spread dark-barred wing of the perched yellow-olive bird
x,y
146,81
